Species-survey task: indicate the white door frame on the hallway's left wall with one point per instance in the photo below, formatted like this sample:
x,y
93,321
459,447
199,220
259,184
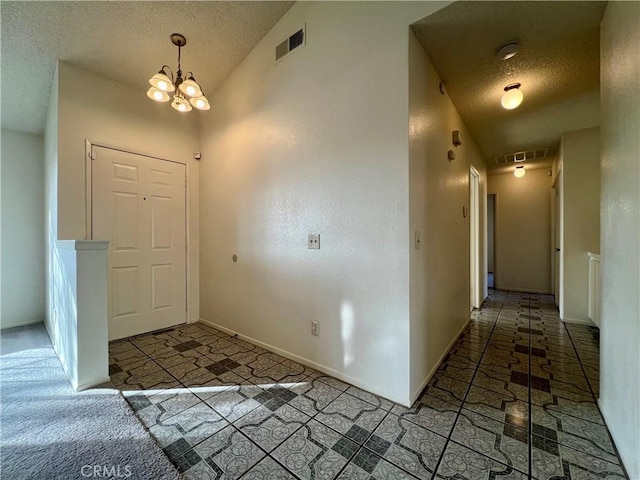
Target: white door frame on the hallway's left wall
x,y
475,256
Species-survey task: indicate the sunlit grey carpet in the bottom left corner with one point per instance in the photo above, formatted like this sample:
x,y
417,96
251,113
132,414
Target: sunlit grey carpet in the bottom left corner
x,y
48,431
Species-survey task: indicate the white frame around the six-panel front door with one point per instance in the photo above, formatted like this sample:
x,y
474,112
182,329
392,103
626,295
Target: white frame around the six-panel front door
x,y
89,157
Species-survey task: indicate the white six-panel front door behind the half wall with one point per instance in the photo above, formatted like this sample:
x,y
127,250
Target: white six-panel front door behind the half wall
x,y
138,204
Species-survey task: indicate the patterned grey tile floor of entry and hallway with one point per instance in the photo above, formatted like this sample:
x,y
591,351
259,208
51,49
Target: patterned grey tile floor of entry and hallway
x,y
513,399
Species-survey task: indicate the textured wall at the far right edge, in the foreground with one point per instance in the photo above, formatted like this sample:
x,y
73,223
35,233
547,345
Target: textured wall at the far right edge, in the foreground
x,y
620,226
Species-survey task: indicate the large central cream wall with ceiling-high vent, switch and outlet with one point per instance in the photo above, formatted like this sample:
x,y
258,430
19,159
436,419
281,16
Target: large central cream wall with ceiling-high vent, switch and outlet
x,y
316,143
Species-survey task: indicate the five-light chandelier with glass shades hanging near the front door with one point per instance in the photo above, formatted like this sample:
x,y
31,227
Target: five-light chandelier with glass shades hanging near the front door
x,y
188,92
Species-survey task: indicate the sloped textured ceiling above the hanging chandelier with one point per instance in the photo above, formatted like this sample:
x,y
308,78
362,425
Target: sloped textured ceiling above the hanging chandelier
x,y
124,41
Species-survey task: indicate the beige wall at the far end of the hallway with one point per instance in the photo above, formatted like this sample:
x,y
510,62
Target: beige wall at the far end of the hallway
x,y
523,230
